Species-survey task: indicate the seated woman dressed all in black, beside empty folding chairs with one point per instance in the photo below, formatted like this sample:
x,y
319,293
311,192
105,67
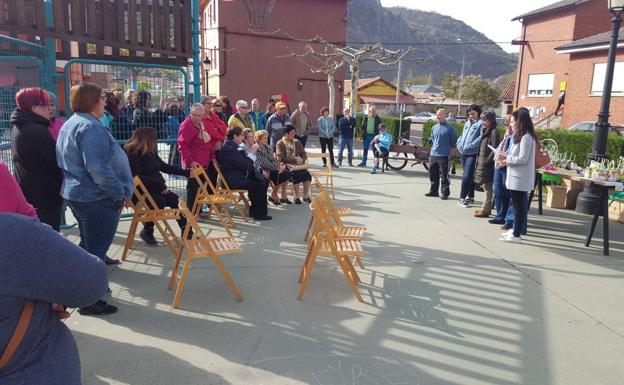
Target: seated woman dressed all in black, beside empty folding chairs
x,y
240,173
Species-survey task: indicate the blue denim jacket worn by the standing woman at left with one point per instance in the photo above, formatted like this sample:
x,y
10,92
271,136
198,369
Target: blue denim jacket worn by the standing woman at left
x,y
94,165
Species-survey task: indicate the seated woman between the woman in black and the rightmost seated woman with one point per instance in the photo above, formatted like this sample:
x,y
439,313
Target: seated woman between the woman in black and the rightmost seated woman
x,y
278,173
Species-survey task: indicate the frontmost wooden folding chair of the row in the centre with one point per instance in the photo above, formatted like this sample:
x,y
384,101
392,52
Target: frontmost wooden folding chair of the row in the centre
x,y
326,242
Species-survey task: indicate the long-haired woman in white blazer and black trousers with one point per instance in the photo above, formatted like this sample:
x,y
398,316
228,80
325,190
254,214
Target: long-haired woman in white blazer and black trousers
x,y
520,162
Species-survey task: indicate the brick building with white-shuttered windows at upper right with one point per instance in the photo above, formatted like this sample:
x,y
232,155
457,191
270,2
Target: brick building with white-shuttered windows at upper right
x,y
545,68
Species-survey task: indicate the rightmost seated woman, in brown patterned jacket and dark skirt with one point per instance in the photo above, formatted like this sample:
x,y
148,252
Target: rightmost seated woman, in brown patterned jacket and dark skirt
x,y
290,151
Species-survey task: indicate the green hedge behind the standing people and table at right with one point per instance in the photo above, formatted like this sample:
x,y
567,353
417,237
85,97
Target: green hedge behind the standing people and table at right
x,y
576,143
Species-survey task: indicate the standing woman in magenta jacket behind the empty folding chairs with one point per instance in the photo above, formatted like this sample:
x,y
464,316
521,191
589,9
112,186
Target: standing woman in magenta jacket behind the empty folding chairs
x,y
195,148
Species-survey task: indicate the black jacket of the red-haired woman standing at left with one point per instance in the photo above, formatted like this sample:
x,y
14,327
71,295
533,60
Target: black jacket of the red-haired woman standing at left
x,y
34,159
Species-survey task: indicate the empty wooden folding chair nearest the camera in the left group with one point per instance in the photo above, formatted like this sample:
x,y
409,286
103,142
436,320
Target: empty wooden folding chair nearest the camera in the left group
x,y
199,246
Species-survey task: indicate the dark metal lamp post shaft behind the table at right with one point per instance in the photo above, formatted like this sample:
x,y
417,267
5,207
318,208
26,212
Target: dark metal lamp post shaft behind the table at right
x,y
602,126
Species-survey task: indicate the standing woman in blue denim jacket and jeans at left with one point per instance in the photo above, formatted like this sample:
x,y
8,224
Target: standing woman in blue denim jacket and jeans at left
x,y
97,178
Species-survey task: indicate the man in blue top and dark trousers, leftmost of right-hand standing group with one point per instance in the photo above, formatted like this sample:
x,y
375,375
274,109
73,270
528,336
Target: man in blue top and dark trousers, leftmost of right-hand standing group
x,y
443,140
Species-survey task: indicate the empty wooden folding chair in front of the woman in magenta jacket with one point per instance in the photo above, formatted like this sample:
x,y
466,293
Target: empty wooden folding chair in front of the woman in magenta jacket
x,y
207,195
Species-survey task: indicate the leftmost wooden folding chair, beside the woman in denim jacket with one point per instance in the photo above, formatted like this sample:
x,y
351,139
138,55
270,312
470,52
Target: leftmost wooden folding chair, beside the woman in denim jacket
x,y
146,210
